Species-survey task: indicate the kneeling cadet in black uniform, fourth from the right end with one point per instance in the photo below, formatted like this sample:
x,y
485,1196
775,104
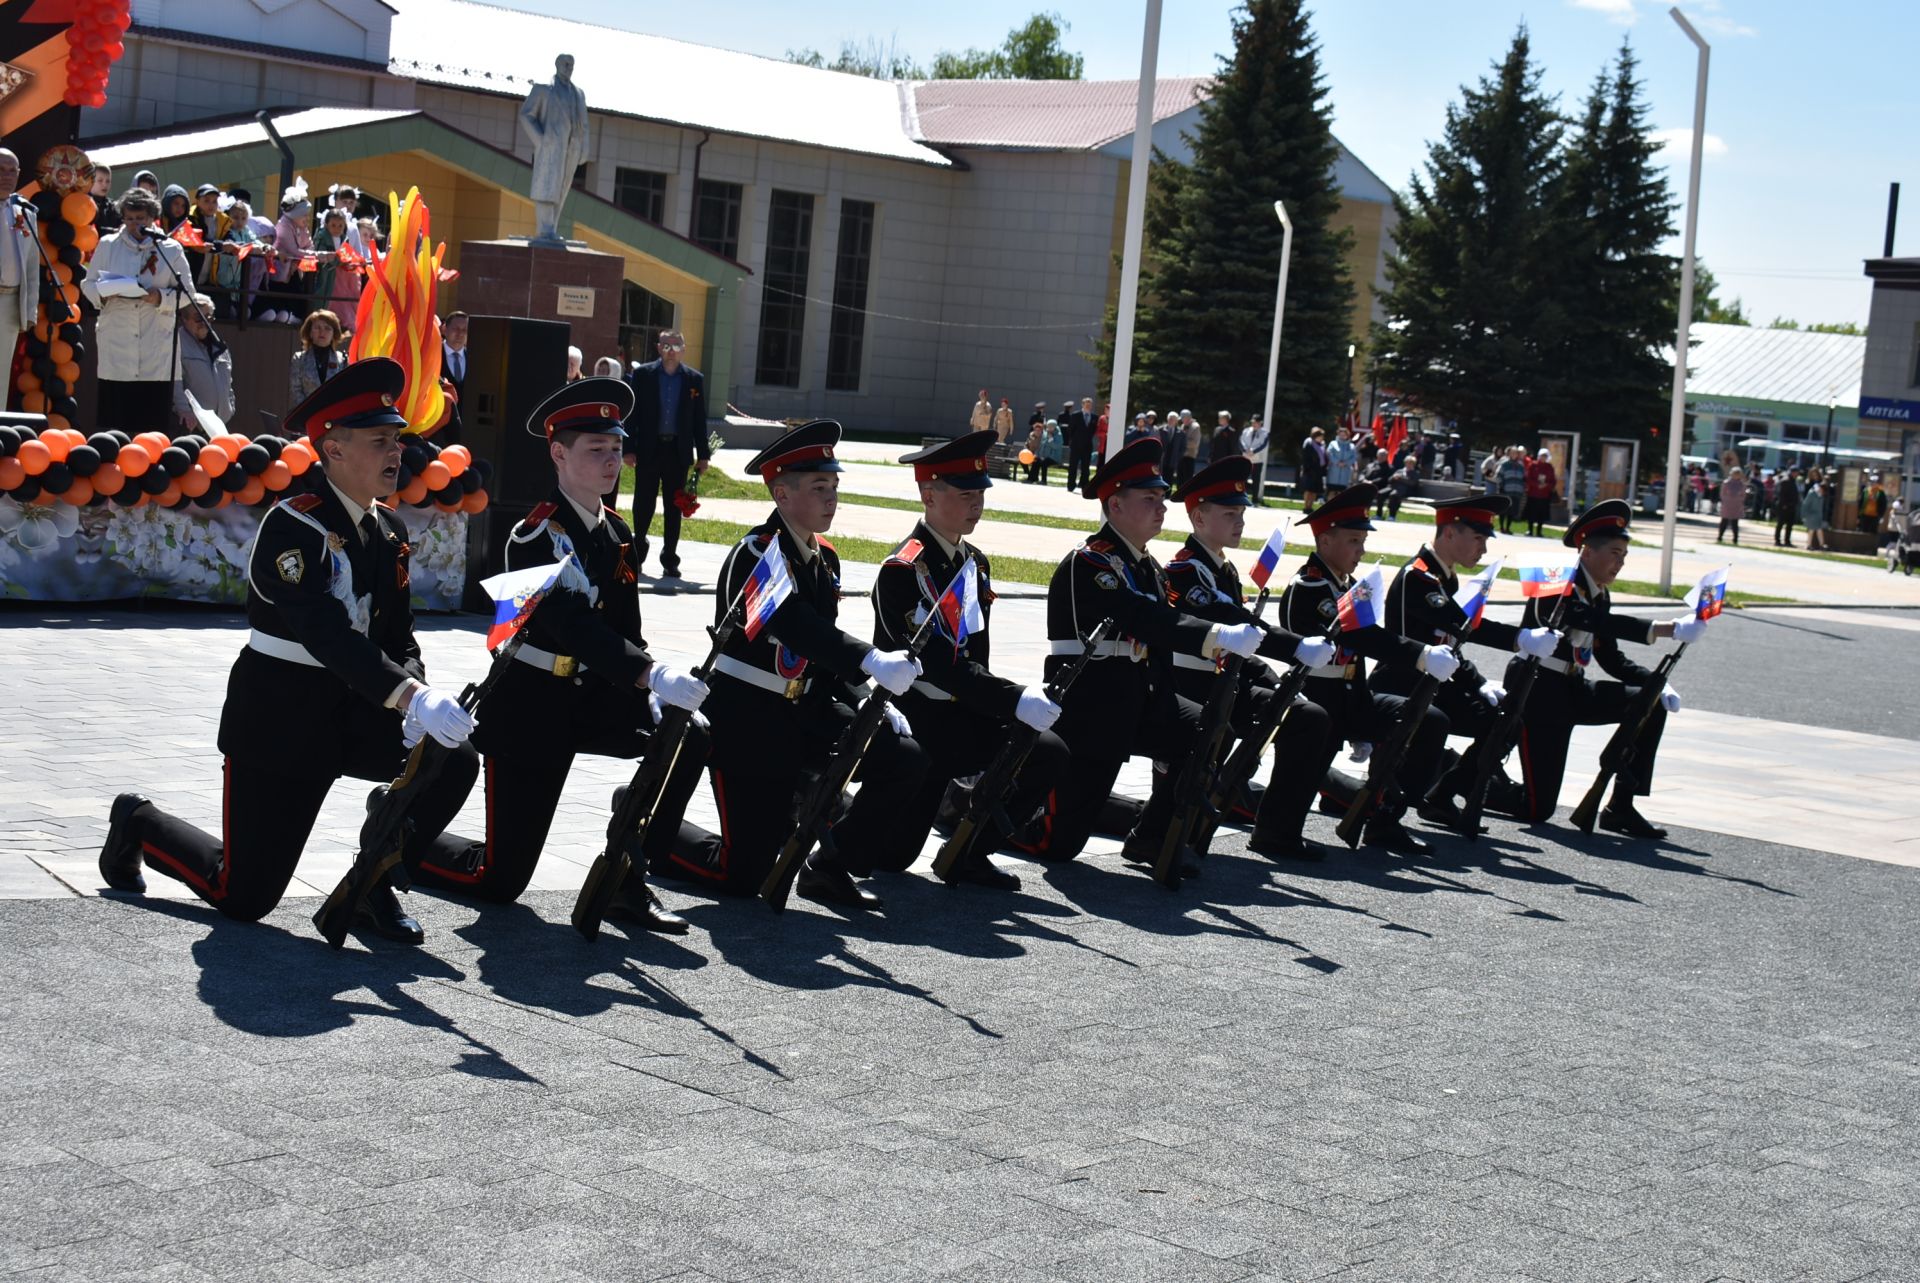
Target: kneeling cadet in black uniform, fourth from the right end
x,y
1205,583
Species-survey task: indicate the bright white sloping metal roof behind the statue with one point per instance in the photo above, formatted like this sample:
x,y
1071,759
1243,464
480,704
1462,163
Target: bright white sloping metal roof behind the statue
x,y
654,78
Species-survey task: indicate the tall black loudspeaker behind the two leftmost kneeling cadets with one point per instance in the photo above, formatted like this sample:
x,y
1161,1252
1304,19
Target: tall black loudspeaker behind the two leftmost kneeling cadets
x,y
514,364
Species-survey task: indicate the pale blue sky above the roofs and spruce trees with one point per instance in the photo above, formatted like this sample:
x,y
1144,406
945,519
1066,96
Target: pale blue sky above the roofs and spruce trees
x,y
1806,124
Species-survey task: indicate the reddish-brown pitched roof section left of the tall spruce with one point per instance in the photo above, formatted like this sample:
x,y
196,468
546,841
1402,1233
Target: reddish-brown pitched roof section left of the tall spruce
x,y
1045,116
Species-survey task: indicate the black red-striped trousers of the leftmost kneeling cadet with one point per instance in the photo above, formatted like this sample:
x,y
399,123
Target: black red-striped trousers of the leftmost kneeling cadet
x,y
268,813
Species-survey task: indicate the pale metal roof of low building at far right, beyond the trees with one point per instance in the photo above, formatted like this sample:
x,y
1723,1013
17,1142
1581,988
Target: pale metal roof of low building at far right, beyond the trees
x,y
1775,366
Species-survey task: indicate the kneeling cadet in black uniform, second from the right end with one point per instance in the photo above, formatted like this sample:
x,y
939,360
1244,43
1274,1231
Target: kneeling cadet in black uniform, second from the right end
x,y
1422,608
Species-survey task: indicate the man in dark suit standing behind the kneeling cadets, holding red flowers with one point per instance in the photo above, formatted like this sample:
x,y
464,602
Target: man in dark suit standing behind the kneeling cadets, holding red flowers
x,y
667,435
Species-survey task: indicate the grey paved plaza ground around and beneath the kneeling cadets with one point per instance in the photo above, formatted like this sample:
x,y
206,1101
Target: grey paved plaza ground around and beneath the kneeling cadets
x,y
1537,1057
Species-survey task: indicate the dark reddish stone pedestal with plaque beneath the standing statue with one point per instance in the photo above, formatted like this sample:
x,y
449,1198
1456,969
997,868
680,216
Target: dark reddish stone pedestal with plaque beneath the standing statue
x,y
548,283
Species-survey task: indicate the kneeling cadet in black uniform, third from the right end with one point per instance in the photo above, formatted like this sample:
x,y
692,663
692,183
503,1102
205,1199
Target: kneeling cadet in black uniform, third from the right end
x,y
1362,715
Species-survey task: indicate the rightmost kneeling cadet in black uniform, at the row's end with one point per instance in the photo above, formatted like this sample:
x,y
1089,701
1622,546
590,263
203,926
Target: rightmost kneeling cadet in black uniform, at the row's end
x,y
1566,696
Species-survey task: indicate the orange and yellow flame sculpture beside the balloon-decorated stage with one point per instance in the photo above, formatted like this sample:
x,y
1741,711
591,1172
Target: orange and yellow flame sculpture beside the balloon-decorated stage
x,y
398,314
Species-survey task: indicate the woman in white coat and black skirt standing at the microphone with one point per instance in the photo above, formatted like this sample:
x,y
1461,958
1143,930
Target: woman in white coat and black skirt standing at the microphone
x,y
137,295
